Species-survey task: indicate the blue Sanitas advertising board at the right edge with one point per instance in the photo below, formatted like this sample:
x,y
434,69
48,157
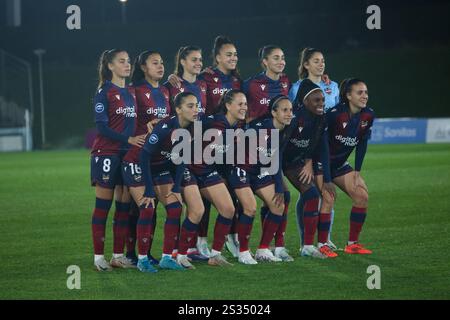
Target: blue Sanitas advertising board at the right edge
x,y
410,130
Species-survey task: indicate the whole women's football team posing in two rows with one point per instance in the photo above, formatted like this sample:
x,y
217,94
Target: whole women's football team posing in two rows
x,y
308,128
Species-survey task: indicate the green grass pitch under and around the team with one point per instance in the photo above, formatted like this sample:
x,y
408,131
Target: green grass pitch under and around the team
x,y
46,204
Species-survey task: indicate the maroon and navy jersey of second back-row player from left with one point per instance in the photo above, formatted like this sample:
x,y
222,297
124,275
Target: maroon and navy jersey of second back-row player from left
x,y
152,103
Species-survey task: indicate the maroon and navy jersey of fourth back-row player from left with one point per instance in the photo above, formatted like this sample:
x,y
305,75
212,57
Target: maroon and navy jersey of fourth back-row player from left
x,y
217,84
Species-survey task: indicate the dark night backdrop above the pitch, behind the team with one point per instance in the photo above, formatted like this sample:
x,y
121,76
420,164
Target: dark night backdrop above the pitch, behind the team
x,y
405,63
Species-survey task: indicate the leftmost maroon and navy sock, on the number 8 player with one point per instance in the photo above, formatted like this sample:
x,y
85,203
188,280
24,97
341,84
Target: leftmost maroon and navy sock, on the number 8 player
x,y
99,217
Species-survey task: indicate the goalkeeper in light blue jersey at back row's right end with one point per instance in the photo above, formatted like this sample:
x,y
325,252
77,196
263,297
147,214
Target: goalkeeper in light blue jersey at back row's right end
x,y
312,66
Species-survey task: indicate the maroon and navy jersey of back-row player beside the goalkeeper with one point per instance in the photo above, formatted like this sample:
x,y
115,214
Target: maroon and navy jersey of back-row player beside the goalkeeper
x,y
260,89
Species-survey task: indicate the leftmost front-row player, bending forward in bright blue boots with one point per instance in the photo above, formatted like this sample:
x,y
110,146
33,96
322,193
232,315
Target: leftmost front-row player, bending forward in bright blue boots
x,y
162,178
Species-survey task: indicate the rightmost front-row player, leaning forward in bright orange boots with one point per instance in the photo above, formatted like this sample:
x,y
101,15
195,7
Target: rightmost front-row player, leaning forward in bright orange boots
x,y
349,127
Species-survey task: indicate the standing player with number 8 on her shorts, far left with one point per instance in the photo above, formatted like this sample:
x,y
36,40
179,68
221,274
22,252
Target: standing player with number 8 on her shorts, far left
x,y
115,117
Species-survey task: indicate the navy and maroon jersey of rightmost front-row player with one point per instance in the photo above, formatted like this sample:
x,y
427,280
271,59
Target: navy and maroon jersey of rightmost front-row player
x,y
346,131
